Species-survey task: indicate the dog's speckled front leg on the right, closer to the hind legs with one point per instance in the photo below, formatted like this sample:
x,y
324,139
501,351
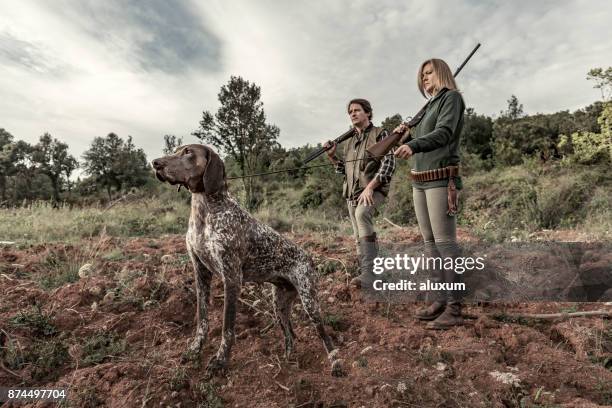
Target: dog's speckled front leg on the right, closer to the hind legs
x,y
231,287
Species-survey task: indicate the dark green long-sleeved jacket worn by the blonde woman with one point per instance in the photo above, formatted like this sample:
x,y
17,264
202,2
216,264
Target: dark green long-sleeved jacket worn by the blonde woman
x,y
435,140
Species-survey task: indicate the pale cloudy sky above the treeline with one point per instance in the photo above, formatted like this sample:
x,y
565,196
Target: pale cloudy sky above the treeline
x,y
83,68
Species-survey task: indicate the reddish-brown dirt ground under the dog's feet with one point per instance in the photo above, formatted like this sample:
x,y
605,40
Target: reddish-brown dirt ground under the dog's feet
x,y
391,359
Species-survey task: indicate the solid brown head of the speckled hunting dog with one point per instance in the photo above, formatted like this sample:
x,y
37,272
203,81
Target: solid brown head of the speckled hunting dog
x,y
194,166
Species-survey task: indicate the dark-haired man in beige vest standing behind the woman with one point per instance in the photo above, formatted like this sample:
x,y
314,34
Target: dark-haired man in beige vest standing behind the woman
x,y
366,182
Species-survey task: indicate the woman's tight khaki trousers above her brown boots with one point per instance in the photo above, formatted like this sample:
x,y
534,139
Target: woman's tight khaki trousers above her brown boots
x,y
439,231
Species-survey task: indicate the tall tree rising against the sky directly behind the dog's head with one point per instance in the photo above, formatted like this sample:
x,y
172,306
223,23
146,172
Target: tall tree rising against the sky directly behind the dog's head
x,y
239,129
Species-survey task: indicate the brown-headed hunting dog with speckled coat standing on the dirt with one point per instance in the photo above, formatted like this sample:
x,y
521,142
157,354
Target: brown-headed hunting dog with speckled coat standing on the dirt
x,y
223,238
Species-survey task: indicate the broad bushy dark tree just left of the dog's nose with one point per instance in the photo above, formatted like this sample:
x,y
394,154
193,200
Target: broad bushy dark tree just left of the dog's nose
x,y
112,162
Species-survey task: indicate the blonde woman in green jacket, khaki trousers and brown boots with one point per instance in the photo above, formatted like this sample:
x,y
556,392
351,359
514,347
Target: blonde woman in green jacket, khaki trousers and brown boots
x,y
435,181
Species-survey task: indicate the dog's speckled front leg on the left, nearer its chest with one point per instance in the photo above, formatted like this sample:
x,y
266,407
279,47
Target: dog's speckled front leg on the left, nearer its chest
x,y
203,278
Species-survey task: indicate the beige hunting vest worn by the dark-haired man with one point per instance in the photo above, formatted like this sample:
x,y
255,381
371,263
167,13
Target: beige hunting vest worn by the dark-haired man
x,y
360,172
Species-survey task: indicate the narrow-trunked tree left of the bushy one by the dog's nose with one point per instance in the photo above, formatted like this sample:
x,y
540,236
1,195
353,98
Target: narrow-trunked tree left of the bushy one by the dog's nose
x,y
50,156
